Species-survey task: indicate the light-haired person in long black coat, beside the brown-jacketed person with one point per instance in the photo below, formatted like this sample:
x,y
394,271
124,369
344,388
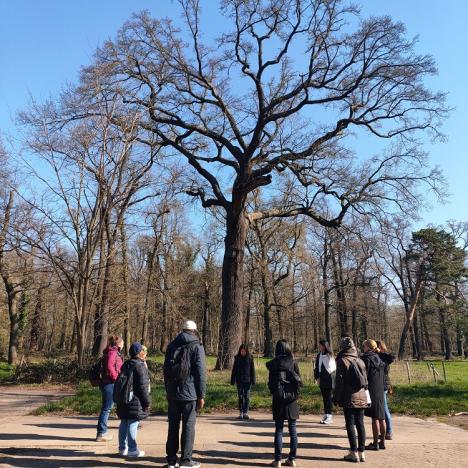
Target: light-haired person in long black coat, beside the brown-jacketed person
x,y
375,376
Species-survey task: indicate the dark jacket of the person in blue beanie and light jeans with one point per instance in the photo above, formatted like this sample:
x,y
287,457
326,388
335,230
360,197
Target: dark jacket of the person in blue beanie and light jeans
x,y
138,406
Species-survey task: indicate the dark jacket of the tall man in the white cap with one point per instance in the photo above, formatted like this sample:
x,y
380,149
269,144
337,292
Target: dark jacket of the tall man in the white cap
x,y
194,387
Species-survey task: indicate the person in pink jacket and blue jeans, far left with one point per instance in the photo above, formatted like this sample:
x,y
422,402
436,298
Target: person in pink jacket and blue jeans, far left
x,y
111,363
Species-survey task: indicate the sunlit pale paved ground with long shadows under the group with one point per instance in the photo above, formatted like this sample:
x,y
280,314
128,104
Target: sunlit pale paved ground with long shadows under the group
x,y
52,441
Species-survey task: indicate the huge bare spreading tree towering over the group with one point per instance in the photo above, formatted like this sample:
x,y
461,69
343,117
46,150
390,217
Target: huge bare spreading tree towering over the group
x,y
242,113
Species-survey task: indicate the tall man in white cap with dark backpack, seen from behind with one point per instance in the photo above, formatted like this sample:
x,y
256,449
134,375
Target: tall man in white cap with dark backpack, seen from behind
x,y
185,380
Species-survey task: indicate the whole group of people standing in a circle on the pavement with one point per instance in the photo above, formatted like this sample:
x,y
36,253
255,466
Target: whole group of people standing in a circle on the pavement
x,y
359,383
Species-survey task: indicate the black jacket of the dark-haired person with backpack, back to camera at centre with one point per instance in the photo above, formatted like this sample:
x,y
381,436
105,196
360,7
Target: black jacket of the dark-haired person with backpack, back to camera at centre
x,y
282,364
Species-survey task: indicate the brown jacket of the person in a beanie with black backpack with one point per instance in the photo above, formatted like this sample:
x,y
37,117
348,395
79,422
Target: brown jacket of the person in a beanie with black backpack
x,y
344,395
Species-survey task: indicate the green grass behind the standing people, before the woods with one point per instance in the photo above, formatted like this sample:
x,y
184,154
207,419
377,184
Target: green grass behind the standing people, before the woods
x,y
422,399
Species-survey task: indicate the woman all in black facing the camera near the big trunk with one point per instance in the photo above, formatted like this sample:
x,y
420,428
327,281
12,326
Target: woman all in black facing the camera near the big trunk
x,y
243,375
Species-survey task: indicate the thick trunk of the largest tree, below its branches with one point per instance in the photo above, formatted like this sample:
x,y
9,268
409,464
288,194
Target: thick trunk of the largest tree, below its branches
x,y
230,331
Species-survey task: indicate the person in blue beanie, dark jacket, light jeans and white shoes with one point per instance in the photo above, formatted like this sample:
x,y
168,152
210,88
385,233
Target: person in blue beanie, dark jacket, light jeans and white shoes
x,y
137,408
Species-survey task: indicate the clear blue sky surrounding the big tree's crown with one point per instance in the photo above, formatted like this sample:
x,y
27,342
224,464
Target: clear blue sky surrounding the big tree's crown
x,y
43,44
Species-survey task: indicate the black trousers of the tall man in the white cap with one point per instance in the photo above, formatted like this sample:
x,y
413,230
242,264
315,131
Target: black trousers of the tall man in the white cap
x,y
187,412
